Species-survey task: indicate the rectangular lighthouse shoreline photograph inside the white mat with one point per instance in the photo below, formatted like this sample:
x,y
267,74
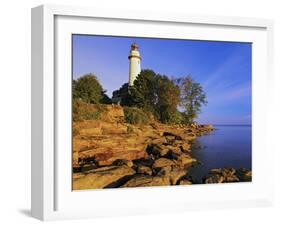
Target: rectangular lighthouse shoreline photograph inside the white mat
x,y
160,112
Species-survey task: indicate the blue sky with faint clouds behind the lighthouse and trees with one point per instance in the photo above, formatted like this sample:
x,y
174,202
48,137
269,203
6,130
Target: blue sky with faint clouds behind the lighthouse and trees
x,y
222,68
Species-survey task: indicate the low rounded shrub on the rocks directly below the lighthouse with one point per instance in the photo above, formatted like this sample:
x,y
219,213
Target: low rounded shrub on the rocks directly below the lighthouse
x,y
135,115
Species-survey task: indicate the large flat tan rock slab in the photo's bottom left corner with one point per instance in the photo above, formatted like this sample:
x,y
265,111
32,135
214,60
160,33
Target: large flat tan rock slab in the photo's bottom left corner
x,y
110,176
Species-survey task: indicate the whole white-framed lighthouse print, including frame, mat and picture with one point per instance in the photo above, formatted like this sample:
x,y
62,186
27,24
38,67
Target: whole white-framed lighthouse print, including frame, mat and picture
x,y
135,112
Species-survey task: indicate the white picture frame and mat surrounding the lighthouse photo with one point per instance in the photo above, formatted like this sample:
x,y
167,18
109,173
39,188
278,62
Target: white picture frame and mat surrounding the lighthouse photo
x,y
51,197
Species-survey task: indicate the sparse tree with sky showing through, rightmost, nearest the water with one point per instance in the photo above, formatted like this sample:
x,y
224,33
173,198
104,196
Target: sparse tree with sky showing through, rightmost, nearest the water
x,y
192,98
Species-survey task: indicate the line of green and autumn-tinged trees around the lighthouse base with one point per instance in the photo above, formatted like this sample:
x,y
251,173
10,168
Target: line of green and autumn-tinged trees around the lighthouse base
x,y
172,101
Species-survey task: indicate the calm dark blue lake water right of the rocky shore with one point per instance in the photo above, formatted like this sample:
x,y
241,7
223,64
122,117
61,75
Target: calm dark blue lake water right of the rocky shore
x,y
227,146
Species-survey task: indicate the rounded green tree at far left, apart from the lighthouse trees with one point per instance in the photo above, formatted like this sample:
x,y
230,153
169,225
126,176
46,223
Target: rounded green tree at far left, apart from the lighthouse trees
x,y
88,89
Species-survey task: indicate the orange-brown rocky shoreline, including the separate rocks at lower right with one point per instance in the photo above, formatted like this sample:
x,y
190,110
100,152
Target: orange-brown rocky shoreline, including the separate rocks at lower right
x,y
109,153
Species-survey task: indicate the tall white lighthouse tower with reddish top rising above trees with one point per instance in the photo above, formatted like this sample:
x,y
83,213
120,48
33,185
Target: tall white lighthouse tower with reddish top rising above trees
x,y
135,63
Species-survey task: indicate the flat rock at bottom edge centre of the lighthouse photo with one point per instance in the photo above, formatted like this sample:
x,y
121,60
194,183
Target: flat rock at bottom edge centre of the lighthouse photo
x,y
146,180
